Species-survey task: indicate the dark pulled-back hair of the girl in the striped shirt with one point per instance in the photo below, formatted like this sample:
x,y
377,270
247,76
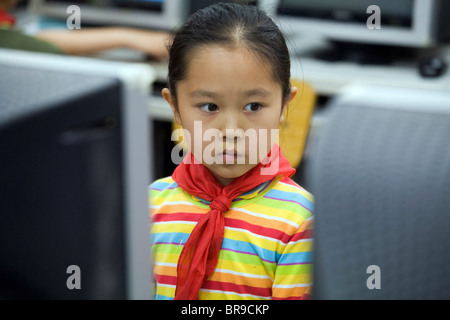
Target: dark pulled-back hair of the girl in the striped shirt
x,y
230,24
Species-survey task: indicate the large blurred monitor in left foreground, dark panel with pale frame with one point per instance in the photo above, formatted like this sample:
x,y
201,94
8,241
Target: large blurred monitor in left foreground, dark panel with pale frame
x,y
74,171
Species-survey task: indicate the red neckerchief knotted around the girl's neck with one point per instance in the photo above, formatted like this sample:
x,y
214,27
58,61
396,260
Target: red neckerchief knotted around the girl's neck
x,y
201,251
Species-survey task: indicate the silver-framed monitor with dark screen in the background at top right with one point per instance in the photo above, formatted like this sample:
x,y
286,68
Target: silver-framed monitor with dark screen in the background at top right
x,y
404,23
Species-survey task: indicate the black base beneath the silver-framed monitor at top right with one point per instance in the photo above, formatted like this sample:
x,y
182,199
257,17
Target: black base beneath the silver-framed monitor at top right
x,y
363,53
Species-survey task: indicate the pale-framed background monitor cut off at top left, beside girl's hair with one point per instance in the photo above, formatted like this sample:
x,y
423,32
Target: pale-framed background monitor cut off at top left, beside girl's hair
x,y
153,14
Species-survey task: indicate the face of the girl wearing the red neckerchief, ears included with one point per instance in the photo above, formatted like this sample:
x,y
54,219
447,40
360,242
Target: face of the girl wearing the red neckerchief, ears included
x,y
227,96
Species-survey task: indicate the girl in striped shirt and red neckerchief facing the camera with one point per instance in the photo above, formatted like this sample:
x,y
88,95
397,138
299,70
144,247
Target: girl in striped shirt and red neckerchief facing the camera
x,y
227,229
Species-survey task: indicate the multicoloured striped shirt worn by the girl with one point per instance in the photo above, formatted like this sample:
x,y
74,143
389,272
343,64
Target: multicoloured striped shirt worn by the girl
x,y
266,252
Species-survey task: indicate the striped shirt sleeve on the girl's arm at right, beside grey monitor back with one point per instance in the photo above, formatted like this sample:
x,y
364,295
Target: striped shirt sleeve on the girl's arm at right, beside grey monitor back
x,y
293,276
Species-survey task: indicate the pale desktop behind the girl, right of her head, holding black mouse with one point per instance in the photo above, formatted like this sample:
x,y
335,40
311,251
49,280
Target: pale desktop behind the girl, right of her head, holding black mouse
x,y
329,78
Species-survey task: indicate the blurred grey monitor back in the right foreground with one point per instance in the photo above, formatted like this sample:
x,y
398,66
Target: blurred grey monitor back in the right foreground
x,y
380,174
